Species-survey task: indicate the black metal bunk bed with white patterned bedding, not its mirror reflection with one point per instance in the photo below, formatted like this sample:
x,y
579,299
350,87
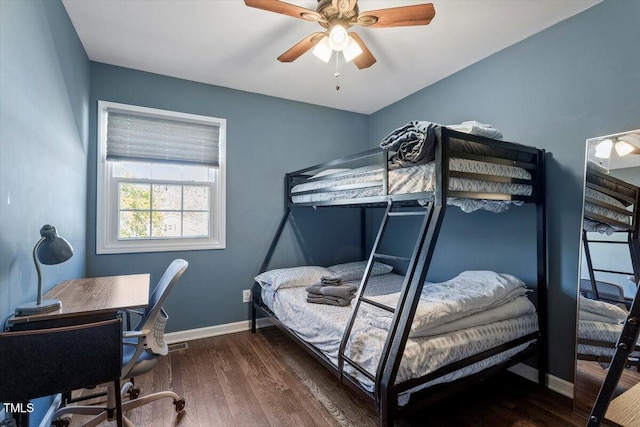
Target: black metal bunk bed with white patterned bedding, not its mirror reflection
x,y
372,345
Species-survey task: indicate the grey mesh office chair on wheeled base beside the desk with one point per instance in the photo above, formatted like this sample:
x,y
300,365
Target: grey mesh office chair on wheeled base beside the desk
x,y
142,349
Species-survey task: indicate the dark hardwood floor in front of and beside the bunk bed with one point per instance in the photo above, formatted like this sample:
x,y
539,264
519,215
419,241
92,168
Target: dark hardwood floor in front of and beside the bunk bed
x,y
265,379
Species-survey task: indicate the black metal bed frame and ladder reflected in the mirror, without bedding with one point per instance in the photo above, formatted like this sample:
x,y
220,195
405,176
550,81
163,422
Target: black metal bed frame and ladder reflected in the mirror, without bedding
x,y
629,193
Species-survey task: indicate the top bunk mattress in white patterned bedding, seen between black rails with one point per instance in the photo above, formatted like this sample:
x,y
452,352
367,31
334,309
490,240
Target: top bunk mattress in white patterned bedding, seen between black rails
x,y
417,179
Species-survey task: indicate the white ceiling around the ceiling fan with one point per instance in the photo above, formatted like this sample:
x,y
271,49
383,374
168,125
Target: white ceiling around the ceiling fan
x,y
225,43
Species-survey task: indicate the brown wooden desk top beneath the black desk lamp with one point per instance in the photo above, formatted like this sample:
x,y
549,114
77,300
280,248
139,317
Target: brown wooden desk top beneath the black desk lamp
x,y
91,299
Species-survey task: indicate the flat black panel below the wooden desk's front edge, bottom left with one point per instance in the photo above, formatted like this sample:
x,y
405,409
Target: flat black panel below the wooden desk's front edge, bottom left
x,y
43,362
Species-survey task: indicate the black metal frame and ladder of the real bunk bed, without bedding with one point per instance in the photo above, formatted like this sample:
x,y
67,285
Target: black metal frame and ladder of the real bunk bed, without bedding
x,y
384,397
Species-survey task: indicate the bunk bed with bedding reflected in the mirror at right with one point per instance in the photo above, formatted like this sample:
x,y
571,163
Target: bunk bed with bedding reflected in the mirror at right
x,y
611,206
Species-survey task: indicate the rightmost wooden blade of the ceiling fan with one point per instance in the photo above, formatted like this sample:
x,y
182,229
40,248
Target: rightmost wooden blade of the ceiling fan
x,y
420,14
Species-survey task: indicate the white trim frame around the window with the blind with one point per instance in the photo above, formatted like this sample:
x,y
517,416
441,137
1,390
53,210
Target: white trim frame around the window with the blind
x,y
107,218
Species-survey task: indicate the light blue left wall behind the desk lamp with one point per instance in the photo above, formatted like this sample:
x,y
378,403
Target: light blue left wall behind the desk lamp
x,y
44,92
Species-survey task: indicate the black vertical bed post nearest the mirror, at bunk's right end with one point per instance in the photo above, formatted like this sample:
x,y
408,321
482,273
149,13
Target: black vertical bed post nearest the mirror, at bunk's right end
x,y
543,357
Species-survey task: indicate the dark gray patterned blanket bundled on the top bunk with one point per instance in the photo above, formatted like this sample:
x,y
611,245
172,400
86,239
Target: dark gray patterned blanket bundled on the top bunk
x,y
414,144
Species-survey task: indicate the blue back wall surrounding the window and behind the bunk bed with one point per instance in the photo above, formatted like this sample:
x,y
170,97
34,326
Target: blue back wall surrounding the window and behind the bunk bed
x,y
266,137
